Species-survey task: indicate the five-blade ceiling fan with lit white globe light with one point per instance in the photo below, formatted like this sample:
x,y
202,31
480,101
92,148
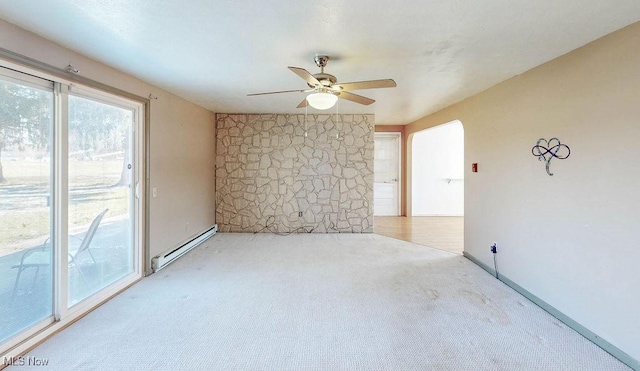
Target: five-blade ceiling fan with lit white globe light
x,y
325,88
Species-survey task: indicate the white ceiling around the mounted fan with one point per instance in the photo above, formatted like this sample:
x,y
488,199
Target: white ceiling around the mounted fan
x,y
215,52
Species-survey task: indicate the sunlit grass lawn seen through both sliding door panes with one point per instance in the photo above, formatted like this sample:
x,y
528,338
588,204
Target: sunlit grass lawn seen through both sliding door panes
x,y
24,198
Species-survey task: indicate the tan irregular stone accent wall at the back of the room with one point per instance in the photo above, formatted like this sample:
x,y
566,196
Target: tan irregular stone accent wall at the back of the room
x,y
272,168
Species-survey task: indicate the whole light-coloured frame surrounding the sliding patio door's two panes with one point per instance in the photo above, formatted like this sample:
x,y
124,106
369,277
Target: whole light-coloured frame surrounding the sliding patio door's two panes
x,y
65,316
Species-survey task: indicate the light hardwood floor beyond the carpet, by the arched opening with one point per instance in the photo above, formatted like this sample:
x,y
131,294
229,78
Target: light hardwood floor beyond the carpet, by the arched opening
x,y
440,232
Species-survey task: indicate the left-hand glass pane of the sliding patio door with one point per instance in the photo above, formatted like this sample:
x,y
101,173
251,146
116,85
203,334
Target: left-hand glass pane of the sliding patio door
x,y
26,284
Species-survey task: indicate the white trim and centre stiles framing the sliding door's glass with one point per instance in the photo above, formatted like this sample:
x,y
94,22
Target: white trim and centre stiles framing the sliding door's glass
x,y
62,314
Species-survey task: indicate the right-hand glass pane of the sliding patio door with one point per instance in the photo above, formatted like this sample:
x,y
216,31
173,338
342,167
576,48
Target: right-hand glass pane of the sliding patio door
x,y
101,249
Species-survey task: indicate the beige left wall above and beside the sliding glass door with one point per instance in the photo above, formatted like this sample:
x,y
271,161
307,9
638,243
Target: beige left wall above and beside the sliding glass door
x,y
182,142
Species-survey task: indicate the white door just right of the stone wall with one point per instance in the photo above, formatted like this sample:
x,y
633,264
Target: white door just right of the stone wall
x,y
386,169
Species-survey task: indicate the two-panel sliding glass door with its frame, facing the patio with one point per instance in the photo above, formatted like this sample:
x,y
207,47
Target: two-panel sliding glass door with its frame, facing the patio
x,y
70,203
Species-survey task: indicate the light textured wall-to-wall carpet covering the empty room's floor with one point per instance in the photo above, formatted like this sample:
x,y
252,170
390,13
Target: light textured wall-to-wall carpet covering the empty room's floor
x,y
320,302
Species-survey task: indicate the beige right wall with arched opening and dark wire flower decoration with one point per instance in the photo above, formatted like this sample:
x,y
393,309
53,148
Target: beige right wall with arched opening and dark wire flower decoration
x,y
571,239
